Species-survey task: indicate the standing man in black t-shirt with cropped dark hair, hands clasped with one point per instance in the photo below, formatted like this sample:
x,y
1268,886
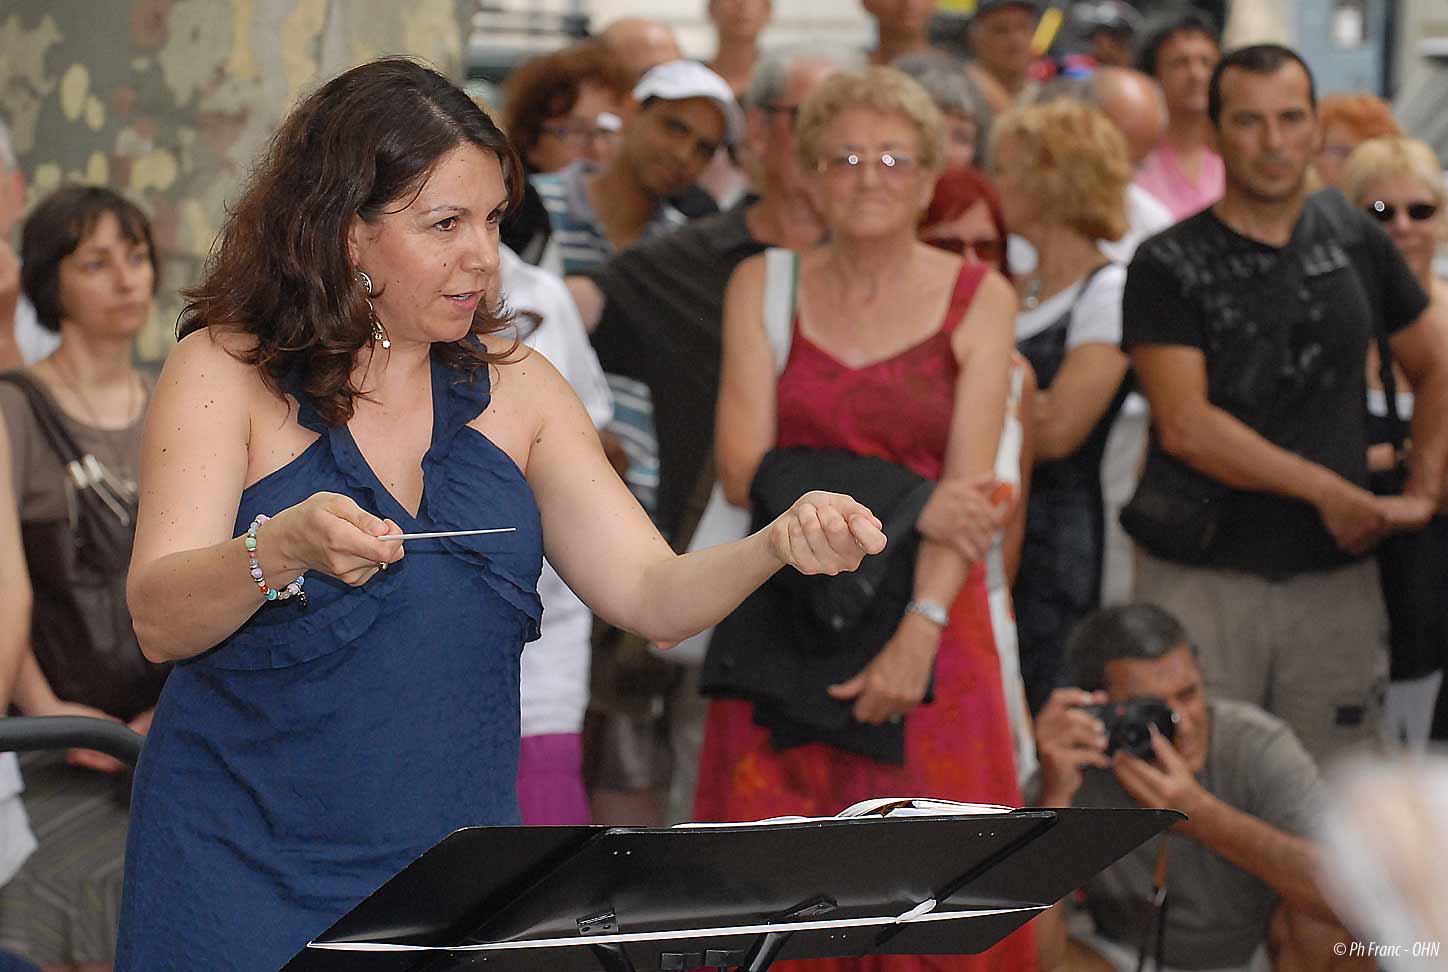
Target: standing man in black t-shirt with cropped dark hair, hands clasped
x,y
1249,327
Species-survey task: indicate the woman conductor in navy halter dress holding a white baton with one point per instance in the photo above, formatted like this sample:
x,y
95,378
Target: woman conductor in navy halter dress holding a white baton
x,y
341,380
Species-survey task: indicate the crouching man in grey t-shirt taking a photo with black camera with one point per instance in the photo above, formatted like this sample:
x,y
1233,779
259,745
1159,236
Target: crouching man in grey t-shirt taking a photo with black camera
x,y
1234,886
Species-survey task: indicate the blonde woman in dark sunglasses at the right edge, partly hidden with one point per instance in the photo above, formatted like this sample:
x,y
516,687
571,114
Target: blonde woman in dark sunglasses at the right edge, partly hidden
x,y
1399,183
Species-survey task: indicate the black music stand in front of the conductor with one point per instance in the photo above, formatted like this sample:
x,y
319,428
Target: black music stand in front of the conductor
x,y
738,897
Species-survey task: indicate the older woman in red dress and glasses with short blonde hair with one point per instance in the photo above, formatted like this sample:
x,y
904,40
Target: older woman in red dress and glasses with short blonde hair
x,y
903,353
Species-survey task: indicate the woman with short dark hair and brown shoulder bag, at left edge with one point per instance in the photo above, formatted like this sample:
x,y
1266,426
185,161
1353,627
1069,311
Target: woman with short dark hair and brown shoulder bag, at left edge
x,y
90,272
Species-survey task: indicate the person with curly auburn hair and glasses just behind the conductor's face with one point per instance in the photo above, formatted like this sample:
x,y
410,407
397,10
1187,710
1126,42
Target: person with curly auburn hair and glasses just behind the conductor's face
x,y
560,109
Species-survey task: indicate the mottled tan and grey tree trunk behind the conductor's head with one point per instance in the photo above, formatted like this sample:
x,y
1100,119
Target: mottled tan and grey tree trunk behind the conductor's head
x,y
170,101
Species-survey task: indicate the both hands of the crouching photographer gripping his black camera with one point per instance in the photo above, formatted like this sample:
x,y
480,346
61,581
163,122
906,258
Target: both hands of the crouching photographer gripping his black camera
x,y
1069,737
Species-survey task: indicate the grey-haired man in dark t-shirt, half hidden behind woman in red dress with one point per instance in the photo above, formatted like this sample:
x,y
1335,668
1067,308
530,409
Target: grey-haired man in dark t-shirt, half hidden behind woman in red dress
x,y
657,314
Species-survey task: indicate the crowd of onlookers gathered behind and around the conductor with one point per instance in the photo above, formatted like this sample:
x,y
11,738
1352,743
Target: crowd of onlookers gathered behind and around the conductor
x,y
1140,361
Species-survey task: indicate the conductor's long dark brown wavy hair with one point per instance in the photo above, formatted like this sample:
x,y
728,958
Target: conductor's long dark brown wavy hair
x,y
360,147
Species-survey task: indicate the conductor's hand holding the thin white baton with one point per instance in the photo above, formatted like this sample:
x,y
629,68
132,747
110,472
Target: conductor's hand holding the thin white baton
x,y
331,534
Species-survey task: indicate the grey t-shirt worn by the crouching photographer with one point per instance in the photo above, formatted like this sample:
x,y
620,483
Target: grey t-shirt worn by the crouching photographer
x,y
1217,913
